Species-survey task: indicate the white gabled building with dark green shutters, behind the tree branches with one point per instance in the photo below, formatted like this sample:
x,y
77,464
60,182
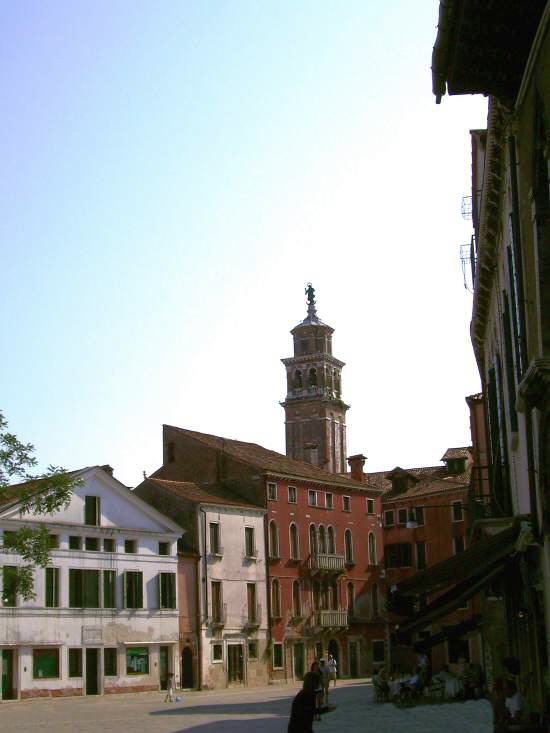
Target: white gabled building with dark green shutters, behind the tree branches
x,y
104,618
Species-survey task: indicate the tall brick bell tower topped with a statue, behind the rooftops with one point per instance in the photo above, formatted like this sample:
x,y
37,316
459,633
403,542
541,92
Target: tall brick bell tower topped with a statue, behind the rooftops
x,y
315,414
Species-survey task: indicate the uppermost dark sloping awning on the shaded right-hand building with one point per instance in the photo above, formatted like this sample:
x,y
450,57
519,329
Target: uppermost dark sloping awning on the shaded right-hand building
x,y
477,559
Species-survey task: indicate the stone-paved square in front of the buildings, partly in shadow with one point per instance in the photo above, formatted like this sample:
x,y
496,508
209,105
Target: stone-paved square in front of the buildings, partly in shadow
x,y
238,711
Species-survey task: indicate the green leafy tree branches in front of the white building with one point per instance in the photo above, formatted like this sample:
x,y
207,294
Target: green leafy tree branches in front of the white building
x,y
40,494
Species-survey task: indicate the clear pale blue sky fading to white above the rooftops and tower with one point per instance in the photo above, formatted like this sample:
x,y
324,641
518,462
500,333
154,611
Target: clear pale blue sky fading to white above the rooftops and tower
x,y
174,173
